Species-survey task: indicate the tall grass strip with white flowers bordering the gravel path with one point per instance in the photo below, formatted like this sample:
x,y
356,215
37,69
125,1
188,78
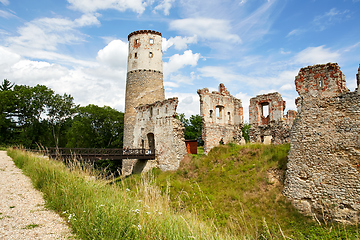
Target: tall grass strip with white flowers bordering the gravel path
x,y
98,209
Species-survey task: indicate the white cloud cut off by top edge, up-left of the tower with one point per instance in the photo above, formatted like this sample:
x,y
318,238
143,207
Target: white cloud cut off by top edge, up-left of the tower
x,y
137,6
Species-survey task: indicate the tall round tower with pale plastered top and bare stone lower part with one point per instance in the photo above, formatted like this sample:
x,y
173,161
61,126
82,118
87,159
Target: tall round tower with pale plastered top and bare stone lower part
x,y
144,81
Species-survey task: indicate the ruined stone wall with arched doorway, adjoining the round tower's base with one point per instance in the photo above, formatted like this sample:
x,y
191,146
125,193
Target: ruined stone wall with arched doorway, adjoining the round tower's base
x,y
156,124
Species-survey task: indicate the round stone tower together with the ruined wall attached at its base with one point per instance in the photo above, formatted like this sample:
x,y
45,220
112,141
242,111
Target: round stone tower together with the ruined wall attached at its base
x,y
149,119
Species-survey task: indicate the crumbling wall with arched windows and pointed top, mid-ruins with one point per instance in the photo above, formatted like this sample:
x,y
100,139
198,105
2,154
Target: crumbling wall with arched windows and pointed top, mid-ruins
x,y
222,117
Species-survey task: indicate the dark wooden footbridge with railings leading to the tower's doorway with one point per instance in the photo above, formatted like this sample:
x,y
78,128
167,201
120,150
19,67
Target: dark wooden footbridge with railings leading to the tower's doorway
x,y
94,154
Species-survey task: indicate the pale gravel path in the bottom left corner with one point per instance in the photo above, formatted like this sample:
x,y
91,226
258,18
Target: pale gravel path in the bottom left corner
x,y
22,212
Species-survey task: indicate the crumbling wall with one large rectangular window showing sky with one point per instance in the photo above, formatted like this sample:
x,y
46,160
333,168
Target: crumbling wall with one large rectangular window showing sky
x,y
267,119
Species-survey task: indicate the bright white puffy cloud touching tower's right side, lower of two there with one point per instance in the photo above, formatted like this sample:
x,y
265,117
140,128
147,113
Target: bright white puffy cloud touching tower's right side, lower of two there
x,y
177,62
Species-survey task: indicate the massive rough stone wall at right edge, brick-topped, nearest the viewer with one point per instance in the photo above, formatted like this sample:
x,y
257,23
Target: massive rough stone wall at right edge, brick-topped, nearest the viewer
x,y
323,170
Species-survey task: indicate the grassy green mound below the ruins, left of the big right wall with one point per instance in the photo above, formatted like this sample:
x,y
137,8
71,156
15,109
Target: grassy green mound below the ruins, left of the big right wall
x,y
239,189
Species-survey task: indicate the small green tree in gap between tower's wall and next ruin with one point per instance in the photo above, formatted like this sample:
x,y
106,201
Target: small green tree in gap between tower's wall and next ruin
x,y
193,127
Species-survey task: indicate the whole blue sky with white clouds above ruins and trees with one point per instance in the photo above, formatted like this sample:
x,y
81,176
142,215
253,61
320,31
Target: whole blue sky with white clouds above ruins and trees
x,y
252,46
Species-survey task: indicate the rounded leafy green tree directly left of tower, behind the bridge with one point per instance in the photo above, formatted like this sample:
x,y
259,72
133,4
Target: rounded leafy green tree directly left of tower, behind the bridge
x,y
96,127
